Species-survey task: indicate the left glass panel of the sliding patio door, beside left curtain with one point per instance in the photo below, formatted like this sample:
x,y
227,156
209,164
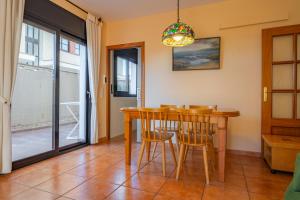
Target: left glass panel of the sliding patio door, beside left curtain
x,y
32,102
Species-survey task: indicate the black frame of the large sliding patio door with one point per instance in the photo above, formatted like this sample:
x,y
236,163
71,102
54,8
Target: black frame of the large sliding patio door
x,y
39,23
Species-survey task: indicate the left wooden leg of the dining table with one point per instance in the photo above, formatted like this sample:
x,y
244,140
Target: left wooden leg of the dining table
x,y
128,137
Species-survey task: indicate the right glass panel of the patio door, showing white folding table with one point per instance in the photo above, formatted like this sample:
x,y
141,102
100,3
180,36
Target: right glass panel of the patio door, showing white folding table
x,y
72,81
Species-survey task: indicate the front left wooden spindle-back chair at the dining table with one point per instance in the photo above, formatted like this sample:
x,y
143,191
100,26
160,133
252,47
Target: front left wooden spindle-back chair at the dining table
x,y
150,119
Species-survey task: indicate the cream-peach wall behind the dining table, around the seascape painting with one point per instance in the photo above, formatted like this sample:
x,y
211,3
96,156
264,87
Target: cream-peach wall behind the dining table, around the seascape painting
x,y
236,85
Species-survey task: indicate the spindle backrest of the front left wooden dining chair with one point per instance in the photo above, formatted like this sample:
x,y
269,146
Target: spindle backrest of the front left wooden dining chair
x,y
151,119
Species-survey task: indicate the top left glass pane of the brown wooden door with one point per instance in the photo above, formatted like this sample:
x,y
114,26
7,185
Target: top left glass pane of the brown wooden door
x,y
283,48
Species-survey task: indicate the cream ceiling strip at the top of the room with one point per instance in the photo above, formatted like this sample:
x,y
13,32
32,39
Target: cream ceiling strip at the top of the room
x,y
111,10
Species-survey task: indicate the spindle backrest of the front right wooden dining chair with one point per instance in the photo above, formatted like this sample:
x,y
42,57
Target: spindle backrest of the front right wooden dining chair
x,y
194,126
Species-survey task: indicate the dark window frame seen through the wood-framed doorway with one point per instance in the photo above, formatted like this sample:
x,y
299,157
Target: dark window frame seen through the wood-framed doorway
x,y
117,93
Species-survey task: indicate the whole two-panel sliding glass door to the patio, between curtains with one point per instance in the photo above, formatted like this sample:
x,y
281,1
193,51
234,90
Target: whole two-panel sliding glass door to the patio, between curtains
x,y
49,105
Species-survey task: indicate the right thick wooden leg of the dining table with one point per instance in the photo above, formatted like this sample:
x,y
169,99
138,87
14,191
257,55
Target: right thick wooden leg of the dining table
x,y
222,137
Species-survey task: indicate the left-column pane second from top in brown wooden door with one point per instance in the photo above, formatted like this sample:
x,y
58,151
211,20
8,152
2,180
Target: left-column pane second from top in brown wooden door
x,y
283,77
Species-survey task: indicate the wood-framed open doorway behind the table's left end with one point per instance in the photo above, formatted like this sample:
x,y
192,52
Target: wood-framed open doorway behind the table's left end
x,y
125,84
